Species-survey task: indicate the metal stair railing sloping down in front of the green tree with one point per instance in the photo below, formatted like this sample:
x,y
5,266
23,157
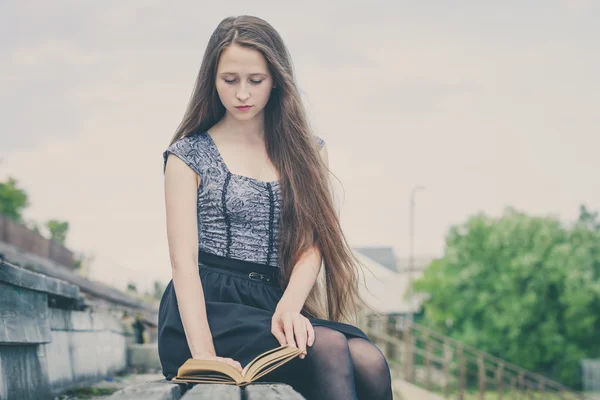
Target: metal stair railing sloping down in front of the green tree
x,y
454,370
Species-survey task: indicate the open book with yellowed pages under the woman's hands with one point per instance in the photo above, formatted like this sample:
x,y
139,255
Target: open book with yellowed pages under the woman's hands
x,y
211,371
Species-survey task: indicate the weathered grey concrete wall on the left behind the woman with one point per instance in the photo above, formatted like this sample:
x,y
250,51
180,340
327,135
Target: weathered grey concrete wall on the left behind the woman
x,y
49,340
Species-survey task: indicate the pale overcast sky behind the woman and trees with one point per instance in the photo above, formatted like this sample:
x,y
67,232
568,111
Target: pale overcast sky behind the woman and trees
x,y
487,105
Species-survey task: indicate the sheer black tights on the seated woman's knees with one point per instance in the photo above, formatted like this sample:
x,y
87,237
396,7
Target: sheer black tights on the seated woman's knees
x,y
346,368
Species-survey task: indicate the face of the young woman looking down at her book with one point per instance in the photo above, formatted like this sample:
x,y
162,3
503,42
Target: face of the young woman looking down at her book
x,y
243,79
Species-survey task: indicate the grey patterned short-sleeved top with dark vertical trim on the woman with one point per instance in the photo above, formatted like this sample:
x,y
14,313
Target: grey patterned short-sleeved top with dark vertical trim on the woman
x,y
238,216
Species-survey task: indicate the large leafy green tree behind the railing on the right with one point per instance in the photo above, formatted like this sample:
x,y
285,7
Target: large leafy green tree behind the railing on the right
x,y
526,289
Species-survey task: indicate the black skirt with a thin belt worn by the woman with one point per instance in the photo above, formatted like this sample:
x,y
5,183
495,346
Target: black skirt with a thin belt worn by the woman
x,y
240,298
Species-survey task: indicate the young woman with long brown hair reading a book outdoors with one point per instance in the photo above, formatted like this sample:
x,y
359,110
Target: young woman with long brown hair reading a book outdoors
x,y
250,224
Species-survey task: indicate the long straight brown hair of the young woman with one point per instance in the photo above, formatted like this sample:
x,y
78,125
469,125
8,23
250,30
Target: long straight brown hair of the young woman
x,y
308,216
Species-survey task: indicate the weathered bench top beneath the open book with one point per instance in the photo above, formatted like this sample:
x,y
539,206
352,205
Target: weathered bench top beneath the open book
x,y
165,390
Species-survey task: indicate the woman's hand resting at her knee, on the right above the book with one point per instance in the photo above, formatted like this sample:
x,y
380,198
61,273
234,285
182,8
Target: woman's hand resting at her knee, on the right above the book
x,y
287,325
